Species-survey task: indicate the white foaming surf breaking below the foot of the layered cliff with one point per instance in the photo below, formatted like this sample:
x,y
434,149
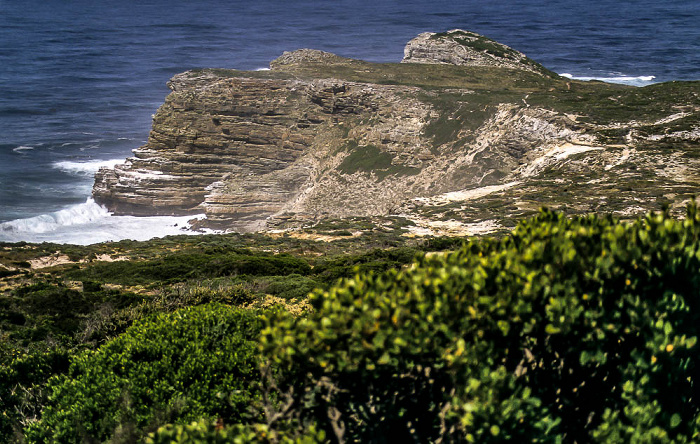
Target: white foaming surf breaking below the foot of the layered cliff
x,y
90,223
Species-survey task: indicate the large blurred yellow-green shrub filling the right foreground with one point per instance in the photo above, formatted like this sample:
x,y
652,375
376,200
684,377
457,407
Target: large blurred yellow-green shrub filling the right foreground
x,y
577,330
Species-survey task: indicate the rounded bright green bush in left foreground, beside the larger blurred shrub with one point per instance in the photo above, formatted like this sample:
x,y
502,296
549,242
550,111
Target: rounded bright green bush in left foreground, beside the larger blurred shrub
x,y
177,367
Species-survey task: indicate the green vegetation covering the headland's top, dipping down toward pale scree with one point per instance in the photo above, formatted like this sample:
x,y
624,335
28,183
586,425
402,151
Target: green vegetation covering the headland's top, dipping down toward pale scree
x,y
594,102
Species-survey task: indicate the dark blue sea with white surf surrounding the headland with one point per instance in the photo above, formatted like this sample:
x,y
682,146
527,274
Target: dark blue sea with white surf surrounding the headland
x,y
79,79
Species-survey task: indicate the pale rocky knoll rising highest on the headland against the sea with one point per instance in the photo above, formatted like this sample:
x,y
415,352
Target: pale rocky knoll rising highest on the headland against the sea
x,y
466,48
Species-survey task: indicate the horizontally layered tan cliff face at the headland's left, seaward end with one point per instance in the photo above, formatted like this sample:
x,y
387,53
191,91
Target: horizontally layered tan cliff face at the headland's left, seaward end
x,y
209,128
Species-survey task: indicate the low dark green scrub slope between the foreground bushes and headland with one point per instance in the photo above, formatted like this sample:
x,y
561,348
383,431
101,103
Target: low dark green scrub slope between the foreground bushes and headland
x,y
50,316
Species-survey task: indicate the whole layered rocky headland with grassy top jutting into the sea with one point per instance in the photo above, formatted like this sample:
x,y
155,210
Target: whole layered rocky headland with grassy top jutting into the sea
x,y
465,136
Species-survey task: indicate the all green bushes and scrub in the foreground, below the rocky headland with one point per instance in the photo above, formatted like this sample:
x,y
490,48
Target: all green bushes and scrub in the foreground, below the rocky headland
x,y
567,329
